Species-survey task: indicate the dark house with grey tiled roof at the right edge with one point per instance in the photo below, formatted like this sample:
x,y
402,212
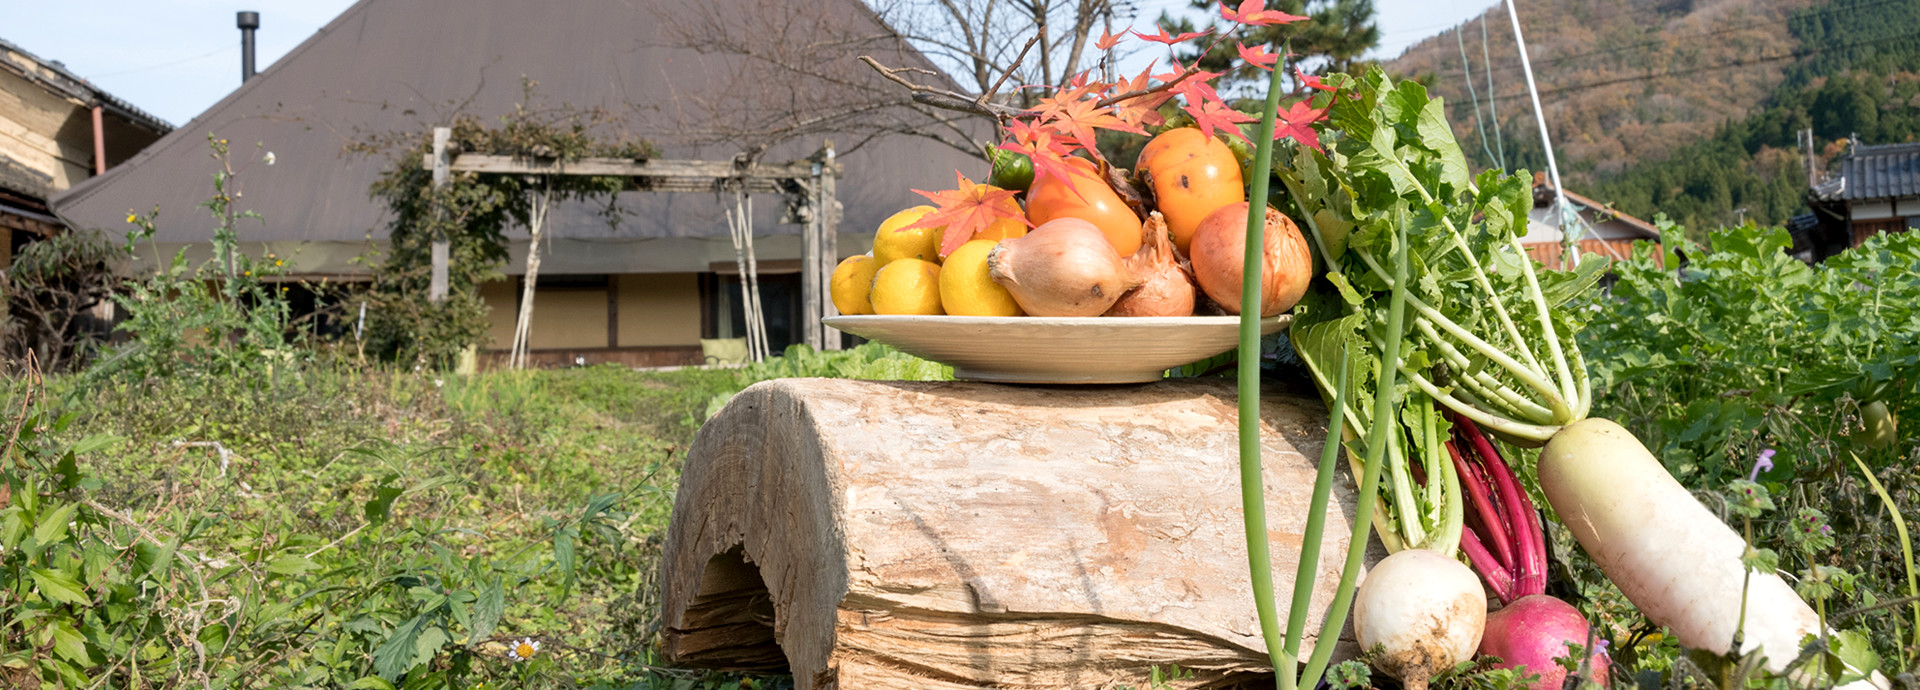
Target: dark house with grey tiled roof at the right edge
x,y
1875,191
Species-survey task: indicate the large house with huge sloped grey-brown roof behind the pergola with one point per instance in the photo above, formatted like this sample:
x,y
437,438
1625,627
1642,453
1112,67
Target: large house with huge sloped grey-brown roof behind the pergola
x,y
644,291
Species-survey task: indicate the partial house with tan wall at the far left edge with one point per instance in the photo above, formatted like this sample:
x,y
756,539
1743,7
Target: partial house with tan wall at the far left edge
x,y
57,132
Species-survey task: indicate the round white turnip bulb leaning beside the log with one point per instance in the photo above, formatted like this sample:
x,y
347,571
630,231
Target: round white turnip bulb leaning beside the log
x,y
1420,614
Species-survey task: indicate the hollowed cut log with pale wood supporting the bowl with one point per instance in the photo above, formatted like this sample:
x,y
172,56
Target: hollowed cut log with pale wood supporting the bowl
x,y
959,535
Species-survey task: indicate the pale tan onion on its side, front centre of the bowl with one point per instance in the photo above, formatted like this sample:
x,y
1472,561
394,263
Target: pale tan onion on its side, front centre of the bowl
x,y
1065,268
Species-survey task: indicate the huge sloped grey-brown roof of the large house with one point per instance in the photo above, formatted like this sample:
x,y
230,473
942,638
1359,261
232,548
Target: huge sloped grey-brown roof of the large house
x,y
389,66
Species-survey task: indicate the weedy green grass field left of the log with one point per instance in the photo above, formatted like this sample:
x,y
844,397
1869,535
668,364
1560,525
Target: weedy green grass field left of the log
x,y
324,524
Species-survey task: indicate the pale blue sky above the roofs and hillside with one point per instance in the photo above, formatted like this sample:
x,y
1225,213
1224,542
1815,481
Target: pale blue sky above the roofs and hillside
x,y
174,59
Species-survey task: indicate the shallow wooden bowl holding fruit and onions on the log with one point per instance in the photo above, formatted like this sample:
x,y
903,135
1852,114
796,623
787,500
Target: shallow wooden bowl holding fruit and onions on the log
x,y
1057,349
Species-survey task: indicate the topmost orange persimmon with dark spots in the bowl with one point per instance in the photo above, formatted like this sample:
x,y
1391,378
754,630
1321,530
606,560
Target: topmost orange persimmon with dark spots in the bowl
x,y
1193,176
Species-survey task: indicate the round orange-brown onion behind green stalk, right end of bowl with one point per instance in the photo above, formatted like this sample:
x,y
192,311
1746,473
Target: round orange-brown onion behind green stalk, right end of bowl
x,y
1218,260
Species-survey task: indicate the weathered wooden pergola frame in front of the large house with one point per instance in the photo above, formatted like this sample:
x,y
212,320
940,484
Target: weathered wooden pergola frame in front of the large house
x,y
807,187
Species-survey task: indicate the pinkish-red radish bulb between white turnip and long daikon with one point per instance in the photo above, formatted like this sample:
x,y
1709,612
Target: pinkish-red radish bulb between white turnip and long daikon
x,y
1535,631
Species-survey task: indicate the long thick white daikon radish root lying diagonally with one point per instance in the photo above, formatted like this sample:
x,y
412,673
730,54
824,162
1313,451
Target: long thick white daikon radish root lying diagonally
x,y
1668,553
